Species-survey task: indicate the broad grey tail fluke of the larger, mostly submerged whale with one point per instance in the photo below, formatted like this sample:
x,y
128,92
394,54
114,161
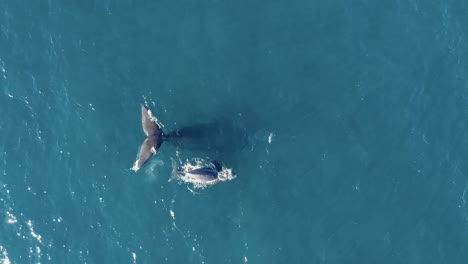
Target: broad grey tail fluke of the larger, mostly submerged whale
x,y
153,140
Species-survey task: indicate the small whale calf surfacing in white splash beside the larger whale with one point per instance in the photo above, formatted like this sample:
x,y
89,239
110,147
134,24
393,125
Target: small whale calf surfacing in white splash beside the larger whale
x,y
202,175
